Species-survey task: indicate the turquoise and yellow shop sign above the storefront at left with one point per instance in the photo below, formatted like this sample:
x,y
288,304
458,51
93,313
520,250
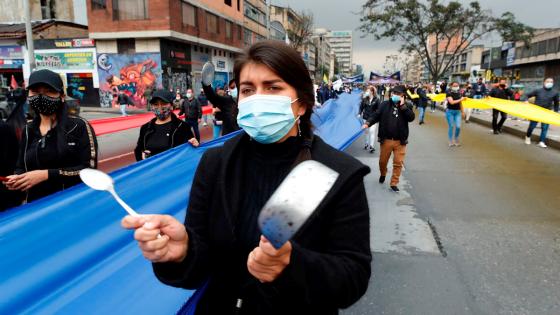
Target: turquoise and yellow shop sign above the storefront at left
x,y
65,61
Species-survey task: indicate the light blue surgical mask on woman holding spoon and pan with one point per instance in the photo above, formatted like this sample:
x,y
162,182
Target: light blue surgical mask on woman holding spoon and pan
x,y
266,118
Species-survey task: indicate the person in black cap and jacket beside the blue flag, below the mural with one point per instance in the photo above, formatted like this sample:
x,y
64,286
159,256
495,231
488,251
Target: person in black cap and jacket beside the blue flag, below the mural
x,y
163,132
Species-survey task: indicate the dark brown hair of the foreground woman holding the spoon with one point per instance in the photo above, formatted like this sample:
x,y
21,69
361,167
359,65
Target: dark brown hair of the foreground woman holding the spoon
x,y
287,63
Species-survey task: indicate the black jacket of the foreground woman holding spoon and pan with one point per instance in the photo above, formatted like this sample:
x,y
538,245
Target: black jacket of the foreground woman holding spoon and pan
x,y
330,263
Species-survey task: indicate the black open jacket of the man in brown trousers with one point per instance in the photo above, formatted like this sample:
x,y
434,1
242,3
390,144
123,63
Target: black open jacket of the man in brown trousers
x,y
384,115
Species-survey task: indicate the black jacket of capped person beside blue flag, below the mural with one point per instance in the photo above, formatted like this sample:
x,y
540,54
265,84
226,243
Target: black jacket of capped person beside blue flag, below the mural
x,y
181,134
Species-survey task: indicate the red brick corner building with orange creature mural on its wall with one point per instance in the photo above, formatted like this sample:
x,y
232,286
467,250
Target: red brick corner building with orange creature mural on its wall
x,y
147,44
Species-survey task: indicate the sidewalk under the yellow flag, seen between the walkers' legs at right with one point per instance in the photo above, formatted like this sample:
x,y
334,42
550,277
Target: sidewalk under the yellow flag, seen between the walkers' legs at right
x,y
517,127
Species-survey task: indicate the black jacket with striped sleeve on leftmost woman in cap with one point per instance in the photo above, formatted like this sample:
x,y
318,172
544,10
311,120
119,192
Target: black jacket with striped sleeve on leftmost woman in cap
x,y
65,150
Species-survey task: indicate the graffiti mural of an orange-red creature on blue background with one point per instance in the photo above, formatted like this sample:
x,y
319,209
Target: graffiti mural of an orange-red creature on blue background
x,y
136,74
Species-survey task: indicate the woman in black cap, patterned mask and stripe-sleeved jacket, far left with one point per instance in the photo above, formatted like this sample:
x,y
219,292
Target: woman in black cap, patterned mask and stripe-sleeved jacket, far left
x,y
54,146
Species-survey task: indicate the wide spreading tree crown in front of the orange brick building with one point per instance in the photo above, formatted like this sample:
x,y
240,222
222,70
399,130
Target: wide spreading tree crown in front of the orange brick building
x,y
439,33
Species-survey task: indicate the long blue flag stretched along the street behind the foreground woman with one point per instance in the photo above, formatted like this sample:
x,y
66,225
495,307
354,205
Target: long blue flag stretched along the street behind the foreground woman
x,y
67,254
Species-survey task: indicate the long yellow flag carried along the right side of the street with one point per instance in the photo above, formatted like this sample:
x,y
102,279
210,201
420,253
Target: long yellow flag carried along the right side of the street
x,y
518,109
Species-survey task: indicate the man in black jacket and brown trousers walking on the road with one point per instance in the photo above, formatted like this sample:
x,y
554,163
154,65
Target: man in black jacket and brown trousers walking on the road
x,y
393,116
